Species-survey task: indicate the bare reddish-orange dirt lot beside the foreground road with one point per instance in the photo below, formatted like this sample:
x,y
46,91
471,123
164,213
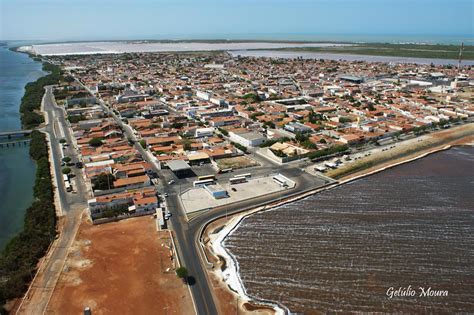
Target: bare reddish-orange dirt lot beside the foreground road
x,y
120,268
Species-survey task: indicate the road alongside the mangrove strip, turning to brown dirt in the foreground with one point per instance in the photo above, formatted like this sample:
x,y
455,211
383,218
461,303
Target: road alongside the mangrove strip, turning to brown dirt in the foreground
x,y
72,205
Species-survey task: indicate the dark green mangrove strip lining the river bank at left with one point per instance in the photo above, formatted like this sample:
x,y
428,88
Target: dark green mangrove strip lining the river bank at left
x,y
40,153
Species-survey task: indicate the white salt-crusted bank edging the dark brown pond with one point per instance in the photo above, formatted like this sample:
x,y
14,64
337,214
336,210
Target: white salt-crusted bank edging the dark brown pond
x,y
231,274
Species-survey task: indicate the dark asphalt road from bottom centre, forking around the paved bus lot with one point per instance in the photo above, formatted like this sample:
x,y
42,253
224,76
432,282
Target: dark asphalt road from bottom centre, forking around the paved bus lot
x,y
187,233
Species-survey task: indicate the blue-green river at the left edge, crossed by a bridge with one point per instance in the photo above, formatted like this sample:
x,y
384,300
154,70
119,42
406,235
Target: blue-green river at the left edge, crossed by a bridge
x,y
17,170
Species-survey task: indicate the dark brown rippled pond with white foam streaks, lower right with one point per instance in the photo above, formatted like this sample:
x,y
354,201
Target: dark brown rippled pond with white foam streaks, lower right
x,y
341,250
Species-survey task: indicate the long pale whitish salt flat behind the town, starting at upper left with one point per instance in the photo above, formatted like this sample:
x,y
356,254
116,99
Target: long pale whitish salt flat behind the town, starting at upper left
x,y
84,48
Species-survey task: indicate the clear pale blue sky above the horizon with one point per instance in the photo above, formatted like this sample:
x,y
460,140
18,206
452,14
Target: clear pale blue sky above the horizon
x,y
57,20
